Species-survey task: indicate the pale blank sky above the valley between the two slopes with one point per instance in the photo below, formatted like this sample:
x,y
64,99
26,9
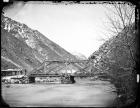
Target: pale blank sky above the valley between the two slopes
x,y
78,28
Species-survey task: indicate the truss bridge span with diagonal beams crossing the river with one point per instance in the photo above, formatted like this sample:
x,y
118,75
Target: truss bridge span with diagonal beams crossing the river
x,y
52,68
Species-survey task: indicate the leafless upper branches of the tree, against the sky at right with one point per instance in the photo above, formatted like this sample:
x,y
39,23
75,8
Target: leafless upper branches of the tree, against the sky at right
x,y
122,15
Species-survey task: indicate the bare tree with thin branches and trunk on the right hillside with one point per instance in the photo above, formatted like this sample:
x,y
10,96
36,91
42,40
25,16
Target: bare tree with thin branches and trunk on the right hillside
x,y
121,20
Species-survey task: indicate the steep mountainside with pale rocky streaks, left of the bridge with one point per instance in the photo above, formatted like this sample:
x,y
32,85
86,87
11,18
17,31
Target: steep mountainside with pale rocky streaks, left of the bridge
x,y
23,47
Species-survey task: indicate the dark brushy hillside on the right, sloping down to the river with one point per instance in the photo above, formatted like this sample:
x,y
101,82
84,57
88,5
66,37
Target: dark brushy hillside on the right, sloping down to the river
x,y
117,58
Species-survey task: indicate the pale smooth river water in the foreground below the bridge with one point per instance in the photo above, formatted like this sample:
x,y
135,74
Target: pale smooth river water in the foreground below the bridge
x,y
85,93
